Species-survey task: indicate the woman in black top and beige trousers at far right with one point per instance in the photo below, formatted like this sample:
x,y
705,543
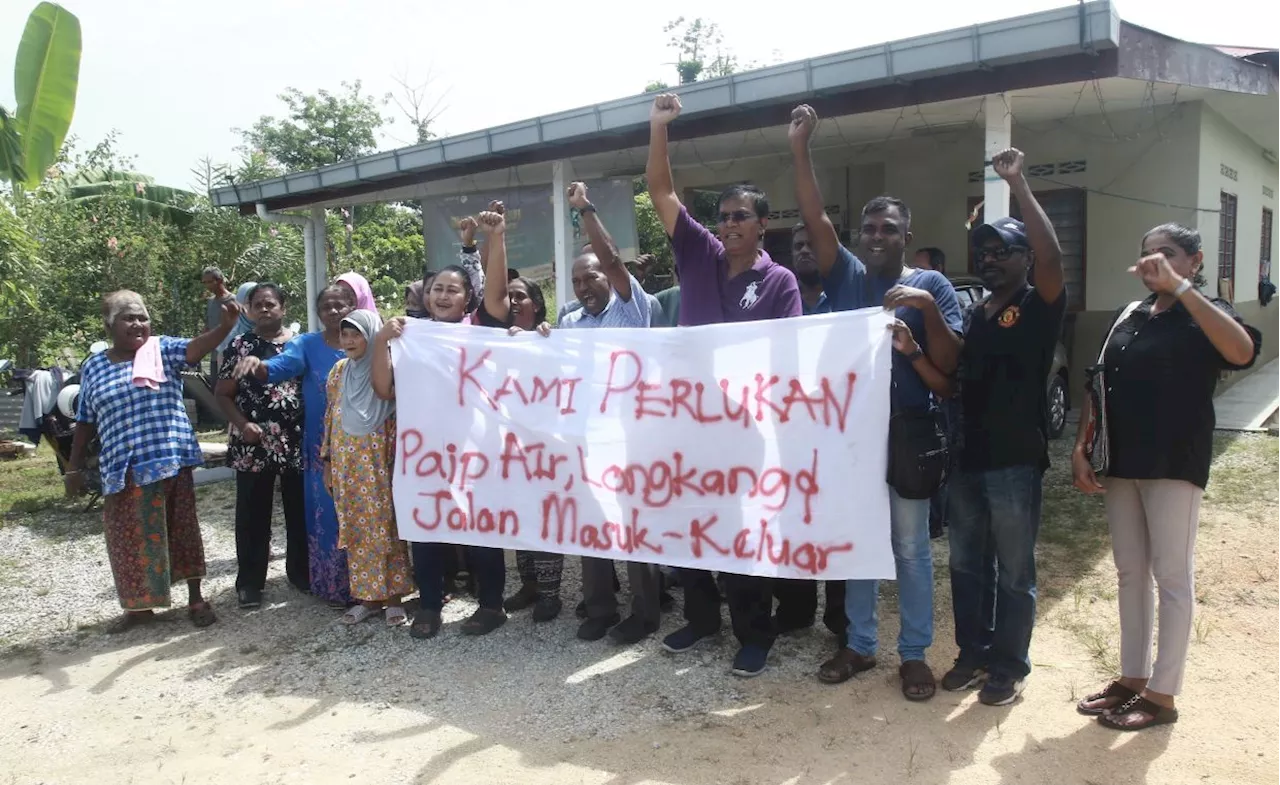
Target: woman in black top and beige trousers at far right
x,y
1162,366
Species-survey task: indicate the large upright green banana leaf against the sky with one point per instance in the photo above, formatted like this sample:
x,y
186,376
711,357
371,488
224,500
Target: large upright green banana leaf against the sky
x,y
45,80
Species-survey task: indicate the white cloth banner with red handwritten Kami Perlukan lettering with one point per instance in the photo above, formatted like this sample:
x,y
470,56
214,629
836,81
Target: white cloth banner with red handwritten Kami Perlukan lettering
x,y
757,448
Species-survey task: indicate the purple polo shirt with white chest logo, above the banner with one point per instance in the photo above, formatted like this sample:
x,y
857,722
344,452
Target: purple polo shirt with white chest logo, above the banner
x,y
710,296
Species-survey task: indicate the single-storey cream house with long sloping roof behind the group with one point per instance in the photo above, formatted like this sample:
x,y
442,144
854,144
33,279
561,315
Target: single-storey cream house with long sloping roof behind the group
x,y
1124,129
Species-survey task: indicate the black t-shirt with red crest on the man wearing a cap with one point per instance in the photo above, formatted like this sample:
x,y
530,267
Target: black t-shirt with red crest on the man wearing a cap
x,y
1004,376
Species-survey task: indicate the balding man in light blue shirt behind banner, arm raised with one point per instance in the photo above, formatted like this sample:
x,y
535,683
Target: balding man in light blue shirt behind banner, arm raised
x,y
611,296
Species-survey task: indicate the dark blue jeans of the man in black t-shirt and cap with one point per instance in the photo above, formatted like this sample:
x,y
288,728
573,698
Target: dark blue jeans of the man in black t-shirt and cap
x,y
994,521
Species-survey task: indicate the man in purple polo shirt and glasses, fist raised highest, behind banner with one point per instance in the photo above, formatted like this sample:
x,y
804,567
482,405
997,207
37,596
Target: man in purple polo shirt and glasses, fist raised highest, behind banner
x,y
726,279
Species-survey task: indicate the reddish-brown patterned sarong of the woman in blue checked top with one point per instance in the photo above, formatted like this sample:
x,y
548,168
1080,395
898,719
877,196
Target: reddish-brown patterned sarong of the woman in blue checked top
x,y
153,540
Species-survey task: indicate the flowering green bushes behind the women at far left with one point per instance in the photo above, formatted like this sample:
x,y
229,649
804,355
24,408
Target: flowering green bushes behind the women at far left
x,y
72,252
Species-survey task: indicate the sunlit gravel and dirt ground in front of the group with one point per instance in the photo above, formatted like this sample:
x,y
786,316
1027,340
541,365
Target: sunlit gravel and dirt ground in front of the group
x,y
285,696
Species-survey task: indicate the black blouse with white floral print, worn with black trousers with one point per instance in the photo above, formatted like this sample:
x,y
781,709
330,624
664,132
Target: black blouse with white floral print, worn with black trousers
x,y
276,408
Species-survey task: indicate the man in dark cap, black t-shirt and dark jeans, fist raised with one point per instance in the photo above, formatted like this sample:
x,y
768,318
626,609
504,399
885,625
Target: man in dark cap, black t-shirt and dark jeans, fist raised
x,y
995,495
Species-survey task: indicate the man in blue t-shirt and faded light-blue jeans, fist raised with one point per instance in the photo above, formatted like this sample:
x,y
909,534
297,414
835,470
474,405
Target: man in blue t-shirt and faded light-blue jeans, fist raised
x,y
927,348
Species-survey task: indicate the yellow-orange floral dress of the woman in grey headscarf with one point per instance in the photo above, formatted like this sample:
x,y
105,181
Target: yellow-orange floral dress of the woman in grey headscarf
x,y
362,480
